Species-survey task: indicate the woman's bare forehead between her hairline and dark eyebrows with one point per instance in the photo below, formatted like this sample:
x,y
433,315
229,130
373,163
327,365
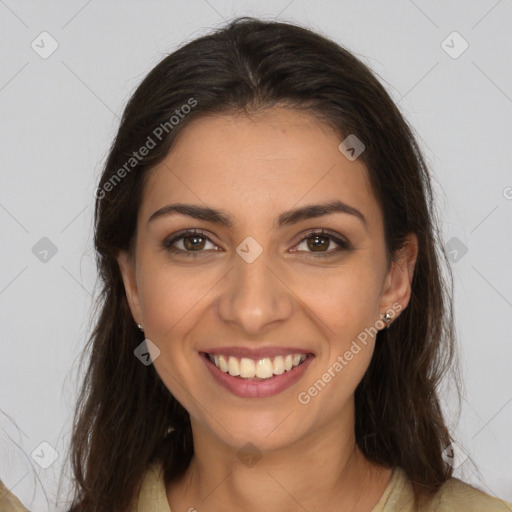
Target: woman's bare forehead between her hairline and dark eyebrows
x,y
258,166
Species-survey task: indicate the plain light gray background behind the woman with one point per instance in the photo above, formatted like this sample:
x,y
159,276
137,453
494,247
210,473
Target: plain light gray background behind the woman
x,y
60,114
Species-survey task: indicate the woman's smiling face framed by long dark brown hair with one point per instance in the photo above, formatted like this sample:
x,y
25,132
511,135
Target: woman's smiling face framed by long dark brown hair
x,y
254,283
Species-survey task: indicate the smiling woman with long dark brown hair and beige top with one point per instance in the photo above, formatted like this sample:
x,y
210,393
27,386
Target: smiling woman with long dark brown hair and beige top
x,y
274,321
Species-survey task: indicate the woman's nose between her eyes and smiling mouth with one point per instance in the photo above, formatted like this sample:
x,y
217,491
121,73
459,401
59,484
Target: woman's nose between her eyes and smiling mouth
x,y
255,296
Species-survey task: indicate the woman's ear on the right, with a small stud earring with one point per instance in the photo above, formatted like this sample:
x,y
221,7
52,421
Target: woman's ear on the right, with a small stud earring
x,y
397,288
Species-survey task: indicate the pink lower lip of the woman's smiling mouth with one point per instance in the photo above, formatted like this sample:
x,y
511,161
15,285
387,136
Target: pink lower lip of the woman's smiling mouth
x,y
257,388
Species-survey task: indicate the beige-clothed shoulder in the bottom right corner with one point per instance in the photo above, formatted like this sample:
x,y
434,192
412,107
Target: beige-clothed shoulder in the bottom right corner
x,y
456,495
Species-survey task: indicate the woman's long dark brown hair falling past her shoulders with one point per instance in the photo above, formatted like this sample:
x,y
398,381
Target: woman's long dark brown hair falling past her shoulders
x,y
124,413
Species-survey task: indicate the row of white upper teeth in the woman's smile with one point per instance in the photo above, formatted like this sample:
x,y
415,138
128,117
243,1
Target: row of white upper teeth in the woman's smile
x,y
262,368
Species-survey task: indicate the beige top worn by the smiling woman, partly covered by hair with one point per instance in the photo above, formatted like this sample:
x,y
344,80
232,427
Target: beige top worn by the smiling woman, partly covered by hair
x,y
454,496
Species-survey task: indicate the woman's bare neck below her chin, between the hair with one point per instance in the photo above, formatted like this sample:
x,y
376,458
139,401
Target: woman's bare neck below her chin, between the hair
x,y
322,471
